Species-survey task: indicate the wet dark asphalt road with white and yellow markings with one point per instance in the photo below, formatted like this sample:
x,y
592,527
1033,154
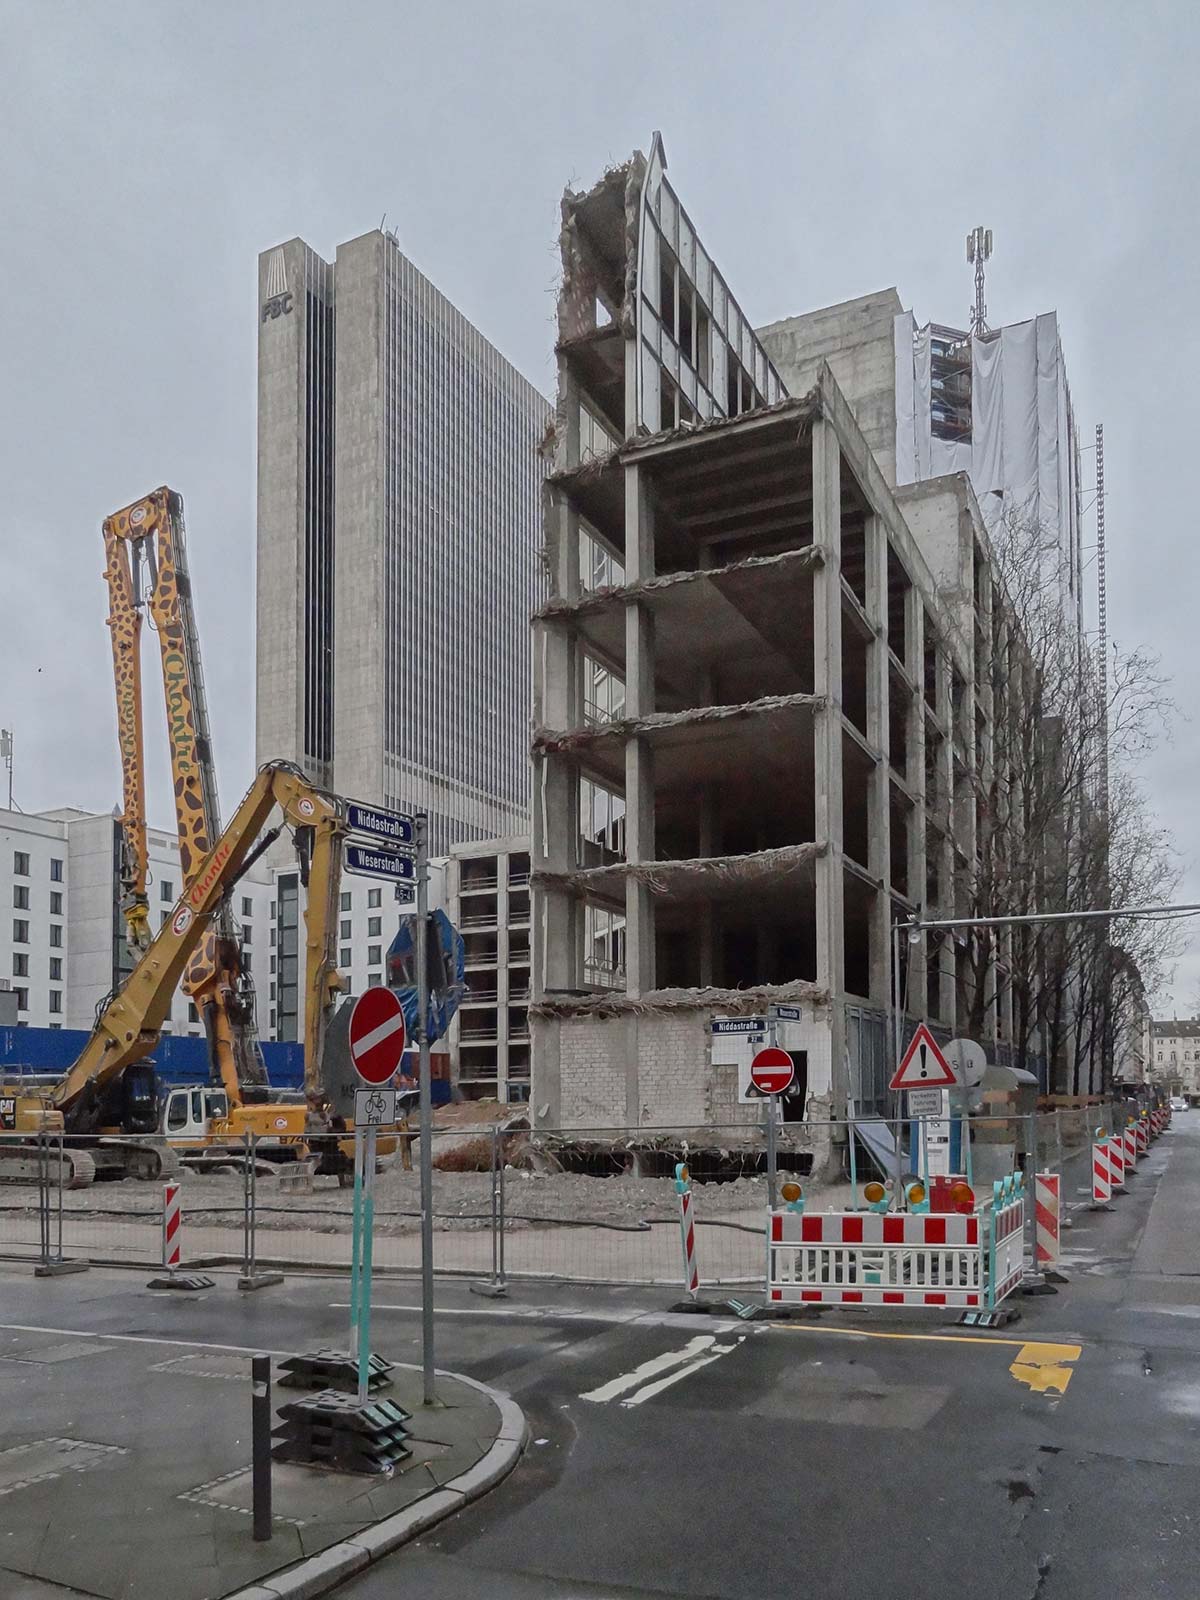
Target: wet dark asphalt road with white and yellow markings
x,y
671,1455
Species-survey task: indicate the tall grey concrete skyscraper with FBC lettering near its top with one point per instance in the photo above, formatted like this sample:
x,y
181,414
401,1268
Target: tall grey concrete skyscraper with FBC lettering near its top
x,y
399,522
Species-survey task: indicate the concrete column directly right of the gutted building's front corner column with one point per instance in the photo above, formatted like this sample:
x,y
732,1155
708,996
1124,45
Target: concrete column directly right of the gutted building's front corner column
x,y
879,814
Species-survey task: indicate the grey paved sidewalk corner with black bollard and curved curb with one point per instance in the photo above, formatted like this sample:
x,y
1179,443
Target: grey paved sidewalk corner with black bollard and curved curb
x,y
126,1474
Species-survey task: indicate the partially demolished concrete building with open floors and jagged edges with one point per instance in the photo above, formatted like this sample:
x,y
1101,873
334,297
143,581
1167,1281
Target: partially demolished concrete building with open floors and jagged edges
x,y
758,698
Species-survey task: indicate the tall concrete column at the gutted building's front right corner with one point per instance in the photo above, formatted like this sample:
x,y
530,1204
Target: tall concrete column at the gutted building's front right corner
x,y
828,737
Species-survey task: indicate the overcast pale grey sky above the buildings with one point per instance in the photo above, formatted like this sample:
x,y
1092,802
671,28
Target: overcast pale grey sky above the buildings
x,y
150,153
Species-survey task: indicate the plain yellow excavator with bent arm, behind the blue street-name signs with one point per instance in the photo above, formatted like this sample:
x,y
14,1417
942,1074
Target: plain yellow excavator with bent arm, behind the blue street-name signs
x,y
110,1095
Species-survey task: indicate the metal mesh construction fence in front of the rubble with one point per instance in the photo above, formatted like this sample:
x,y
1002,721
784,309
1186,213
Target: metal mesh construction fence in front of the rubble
x,y
574,1206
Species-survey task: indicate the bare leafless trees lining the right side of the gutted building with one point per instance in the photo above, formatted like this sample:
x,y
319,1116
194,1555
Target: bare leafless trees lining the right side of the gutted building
x,y
1062,825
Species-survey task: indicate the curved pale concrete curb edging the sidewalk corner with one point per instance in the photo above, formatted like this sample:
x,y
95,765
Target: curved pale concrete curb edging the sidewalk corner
x,y
334,1566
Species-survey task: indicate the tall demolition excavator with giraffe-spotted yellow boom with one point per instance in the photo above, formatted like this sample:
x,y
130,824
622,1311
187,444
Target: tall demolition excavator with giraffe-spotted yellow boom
x,y
146,572
